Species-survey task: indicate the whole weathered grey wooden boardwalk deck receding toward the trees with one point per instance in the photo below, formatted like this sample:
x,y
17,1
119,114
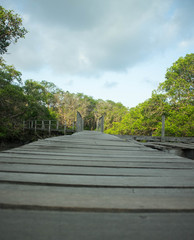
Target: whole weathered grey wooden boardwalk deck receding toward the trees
x,y
92,185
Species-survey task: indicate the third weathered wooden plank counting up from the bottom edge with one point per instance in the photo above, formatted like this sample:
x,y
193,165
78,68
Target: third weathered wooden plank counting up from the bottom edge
x,y
98,181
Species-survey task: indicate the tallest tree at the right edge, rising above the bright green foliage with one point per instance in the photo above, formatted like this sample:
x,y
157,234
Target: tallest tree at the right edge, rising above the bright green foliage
x,y
179,91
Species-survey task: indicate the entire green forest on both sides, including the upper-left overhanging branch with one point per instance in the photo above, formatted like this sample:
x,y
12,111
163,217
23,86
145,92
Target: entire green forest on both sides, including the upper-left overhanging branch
x,y
42,100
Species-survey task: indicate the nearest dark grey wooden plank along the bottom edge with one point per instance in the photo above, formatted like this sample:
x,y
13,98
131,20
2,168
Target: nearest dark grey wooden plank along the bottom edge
x,y
40,225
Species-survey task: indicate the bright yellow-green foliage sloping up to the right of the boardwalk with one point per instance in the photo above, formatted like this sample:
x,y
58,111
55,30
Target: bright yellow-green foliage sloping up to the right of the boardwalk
x,y
173,98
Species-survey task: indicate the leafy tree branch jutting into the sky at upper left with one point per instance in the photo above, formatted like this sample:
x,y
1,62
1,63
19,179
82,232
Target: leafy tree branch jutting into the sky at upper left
x,y
10,29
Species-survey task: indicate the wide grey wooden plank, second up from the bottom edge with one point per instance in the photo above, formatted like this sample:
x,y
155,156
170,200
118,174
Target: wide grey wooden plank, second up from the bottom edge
x,y
104,199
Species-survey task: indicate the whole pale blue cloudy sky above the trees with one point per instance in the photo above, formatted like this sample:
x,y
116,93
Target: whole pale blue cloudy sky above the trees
x,y
115,50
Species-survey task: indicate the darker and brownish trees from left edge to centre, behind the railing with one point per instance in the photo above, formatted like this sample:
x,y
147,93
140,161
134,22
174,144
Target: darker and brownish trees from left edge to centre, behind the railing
x,y
44,101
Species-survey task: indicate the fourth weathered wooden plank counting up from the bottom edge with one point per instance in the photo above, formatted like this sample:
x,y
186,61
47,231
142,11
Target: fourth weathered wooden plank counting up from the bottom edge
x,y
96,171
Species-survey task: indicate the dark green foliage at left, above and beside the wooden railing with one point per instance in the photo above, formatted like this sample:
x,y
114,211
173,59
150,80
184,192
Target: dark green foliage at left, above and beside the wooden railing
x,y
18,103
